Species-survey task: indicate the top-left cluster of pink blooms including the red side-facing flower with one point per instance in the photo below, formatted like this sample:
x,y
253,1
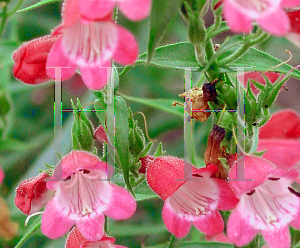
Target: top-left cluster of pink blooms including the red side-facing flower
x,y
87,39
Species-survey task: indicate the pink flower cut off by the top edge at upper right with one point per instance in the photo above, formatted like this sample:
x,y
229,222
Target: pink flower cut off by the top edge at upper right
x,y
269,15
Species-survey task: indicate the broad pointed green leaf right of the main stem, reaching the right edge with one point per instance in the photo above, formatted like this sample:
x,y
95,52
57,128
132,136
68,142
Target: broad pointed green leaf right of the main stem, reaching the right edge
x,y
257,60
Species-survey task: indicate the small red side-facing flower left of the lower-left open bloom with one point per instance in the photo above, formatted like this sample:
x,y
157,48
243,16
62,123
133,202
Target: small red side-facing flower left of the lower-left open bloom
x,y
32,194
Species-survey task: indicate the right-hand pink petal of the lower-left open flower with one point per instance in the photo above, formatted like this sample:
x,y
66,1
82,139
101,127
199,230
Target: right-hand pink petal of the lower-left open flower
x,y
122,205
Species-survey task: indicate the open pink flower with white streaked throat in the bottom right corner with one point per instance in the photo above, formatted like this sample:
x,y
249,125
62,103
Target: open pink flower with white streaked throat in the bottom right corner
x,y
267,204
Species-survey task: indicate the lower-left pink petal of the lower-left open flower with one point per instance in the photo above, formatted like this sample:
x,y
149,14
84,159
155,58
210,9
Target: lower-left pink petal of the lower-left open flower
x,y
54,223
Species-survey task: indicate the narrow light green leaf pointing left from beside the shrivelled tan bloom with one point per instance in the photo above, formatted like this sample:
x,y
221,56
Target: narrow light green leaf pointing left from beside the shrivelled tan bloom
x,y
164,105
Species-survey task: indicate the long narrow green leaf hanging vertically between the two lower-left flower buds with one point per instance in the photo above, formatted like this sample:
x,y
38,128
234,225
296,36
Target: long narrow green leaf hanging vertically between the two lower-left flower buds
x,y
122,137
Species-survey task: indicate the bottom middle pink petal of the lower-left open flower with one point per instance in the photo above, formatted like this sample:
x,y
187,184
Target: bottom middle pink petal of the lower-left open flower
x,y
91,226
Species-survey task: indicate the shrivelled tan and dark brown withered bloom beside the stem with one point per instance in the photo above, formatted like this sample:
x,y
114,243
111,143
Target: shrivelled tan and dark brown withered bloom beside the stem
x,y
196,101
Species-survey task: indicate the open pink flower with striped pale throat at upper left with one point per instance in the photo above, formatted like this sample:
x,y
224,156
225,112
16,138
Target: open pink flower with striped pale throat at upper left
x,y
89,45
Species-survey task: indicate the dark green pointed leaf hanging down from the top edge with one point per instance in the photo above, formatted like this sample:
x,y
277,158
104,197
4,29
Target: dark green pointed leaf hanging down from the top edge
x,y
162,13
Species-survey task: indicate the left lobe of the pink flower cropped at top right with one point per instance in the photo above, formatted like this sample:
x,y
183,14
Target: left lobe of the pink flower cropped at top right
x,y
237,21
